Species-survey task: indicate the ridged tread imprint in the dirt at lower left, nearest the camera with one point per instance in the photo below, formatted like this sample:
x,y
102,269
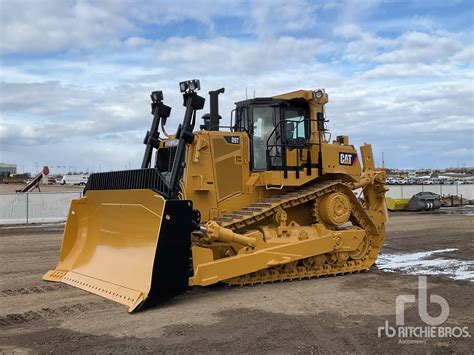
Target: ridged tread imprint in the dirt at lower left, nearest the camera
x,y
49,313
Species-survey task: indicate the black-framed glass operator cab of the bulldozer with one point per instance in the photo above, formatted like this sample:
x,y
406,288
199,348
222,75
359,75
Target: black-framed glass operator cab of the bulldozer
x,y
275,127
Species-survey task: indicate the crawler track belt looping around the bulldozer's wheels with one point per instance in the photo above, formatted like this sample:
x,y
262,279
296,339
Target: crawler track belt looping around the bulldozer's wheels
x,y
316,266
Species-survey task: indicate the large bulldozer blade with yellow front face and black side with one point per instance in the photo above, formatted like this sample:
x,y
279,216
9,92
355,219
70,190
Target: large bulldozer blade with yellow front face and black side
x,y
130,246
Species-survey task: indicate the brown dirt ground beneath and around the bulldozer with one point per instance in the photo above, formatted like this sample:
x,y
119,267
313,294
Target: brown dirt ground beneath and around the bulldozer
x,y
328,315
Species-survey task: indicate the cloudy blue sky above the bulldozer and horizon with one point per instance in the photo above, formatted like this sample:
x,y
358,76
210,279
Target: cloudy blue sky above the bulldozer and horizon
x,y
75,75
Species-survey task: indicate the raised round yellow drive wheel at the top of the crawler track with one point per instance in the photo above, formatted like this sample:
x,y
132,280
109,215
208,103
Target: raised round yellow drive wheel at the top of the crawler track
x,y
334,209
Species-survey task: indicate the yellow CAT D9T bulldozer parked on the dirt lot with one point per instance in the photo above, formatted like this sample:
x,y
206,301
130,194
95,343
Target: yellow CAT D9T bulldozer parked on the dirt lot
x,y
268,198
